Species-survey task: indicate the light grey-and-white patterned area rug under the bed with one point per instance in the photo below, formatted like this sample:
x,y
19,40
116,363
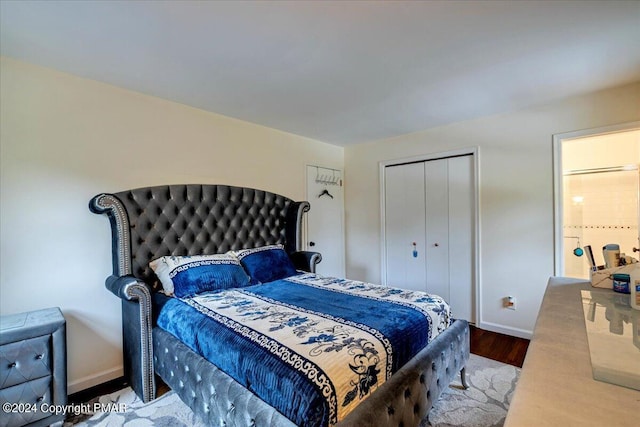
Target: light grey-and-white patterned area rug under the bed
x,y
483,404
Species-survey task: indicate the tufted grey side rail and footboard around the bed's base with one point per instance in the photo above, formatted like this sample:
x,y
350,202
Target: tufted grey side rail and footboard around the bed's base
x,y
404,400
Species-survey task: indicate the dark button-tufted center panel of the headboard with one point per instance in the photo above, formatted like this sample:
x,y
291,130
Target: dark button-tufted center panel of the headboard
x,y
197,219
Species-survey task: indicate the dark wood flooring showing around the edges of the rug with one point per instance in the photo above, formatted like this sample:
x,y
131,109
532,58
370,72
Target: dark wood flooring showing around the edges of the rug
x,y
492,345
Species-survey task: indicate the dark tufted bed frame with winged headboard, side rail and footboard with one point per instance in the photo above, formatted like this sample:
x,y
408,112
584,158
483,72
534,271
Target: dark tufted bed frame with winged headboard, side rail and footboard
x,y
198,219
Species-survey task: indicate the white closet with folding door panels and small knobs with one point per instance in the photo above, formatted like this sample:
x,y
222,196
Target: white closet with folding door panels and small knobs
x,y
429,229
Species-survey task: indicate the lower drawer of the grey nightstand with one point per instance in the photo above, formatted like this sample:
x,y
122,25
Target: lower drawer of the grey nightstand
x,y
28,397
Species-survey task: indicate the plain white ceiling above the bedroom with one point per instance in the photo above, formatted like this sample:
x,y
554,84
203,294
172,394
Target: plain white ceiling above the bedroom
x,y
339,72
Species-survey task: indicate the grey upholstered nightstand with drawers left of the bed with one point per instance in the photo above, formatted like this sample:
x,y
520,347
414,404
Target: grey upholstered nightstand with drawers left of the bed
x,y
33,368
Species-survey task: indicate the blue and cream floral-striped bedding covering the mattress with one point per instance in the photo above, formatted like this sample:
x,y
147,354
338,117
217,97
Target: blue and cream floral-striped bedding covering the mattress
x,y
312,347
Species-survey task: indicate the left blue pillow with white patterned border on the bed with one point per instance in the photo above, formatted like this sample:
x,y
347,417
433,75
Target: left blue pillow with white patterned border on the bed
x,y
185,276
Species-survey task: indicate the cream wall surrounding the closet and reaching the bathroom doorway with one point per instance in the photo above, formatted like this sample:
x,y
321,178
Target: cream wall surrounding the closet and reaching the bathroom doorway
x,y
516,196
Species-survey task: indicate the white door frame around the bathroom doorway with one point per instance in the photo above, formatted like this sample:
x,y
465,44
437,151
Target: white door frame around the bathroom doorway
x,y
558,211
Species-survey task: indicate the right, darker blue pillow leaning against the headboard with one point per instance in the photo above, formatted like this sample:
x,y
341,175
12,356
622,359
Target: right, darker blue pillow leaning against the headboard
x,y
267,263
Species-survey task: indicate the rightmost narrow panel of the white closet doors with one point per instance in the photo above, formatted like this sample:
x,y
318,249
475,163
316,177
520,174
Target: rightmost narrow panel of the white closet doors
x,y
461,232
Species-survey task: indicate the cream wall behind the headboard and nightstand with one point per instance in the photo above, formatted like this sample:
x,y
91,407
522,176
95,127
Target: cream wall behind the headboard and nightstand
x,y
64,139
